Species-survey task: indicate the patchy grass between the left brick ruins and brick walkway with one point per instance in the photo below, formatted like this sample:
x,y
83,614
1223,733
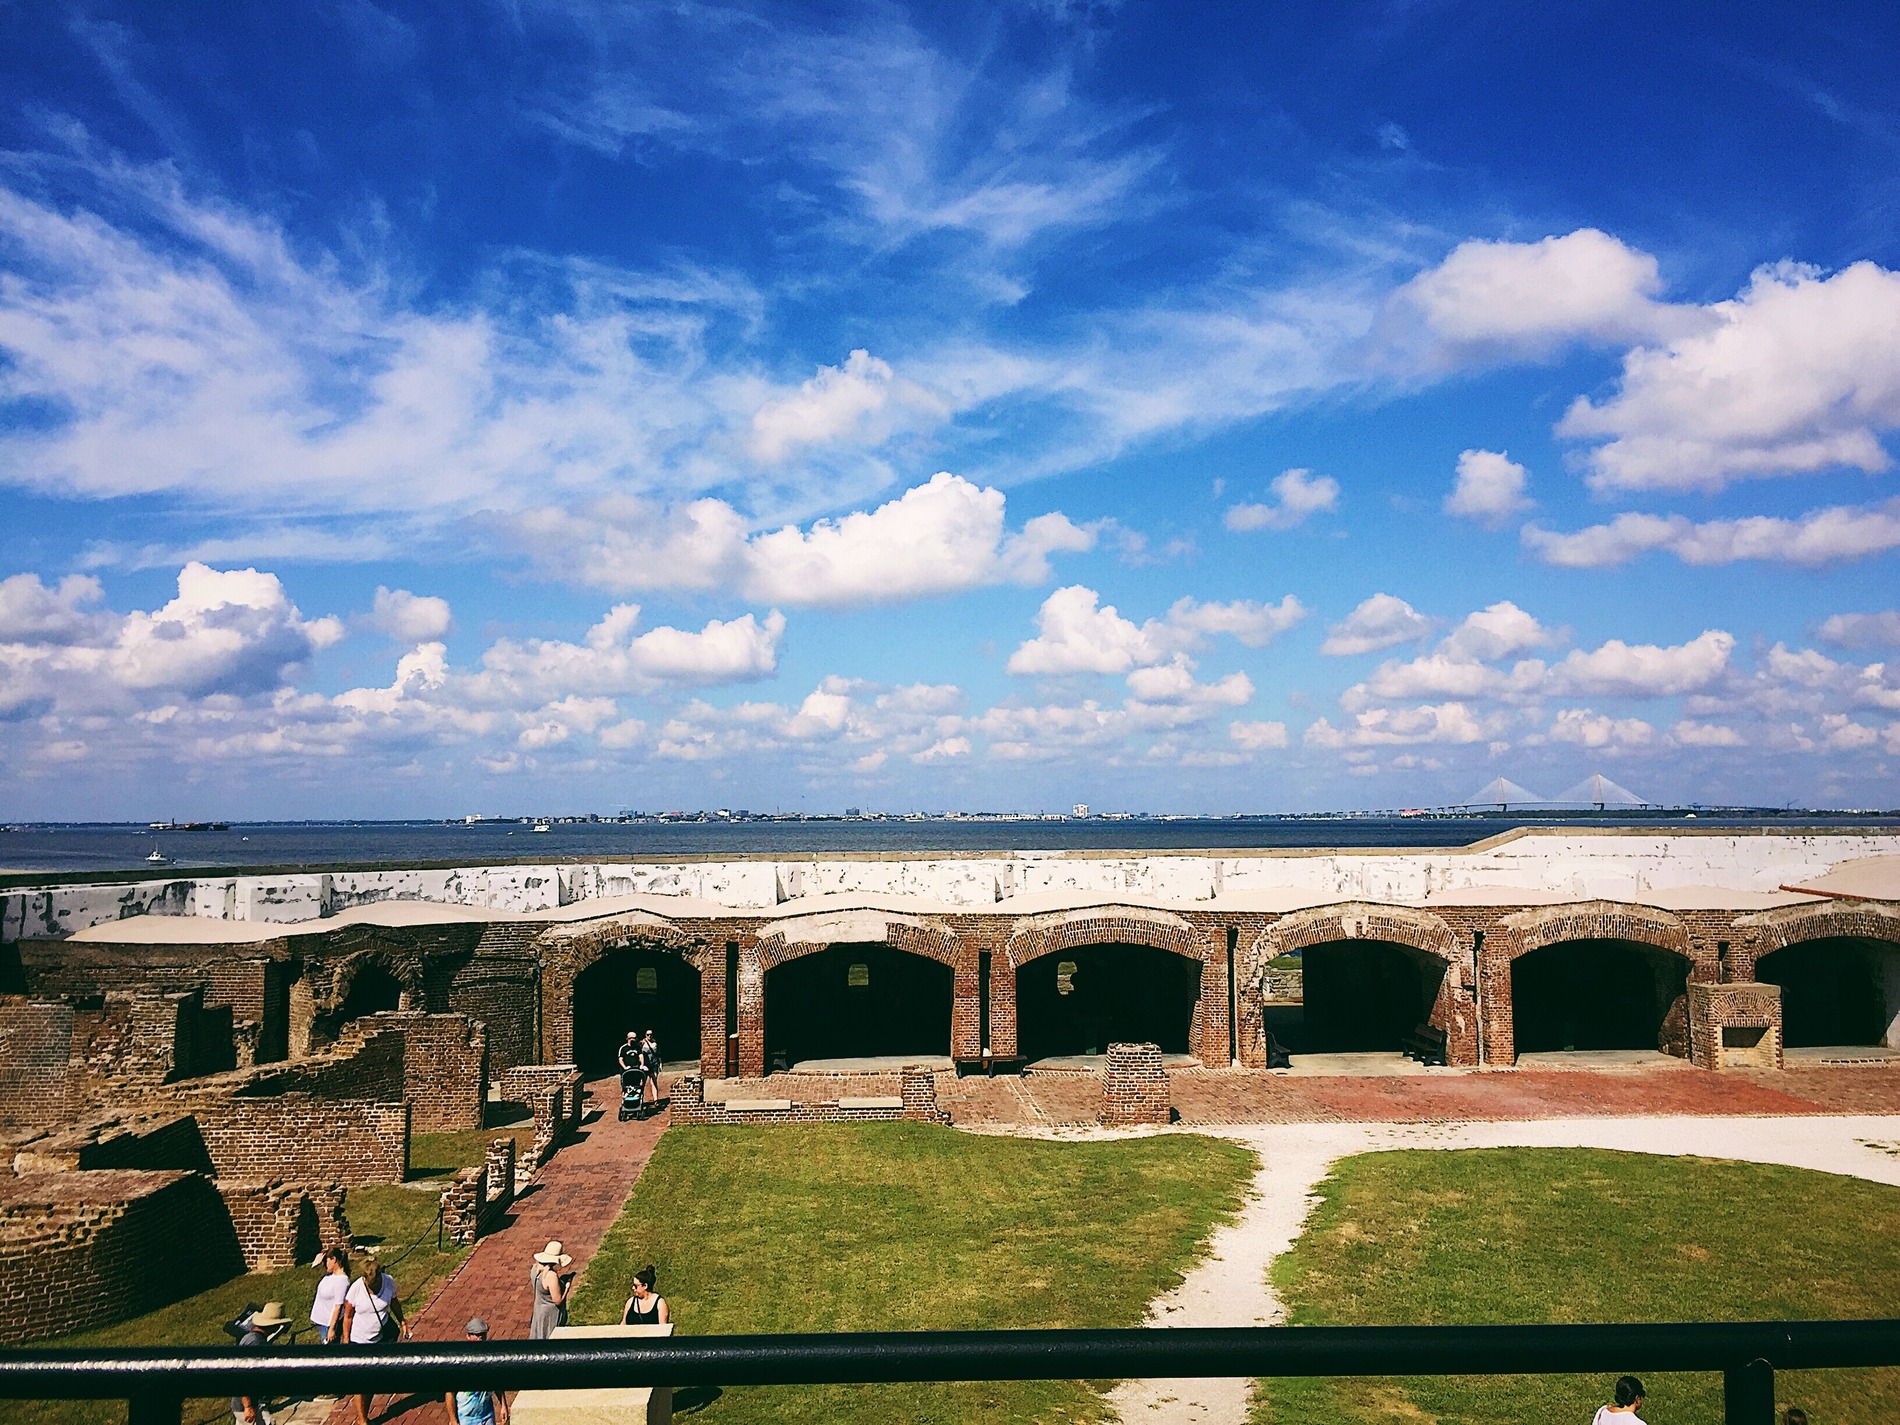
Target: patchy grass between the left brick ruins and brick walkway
x,y
387,1217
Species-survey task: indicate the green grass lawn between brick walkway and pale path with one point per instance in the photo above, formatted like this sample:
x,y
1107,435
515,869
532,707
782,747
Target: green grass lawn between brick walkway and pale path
x,y
909,1226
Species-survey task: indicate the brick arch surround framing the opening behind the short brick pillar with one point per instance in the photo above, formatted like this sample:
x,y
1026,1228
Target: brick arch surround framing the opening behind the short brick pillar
x,y
1035,938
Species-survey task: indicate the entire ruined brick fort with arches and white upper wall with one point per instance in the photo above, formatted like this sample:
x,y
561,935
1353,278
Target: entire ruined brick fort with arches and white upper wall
x,y
324,1017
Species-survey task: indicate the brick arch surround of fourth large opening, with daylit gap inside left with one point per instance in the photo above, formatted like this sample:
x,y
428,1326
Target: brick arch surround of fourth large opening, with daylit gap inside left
x,y
1361,921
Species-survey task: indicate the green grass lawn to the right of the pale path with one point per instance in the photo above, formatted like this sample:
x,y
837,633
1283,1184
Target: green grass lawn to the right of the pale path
x,y
1570,1236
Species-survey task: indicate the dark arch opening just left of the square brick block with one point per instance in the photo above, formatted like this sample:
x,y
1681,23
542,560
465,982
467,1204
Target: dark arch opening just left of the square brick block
x,y
1595,995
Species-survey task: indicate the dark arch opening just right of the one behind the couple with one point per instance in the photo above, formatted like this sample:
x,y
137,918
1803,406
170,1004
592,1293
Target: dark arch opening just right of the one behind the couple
x,y
858,1002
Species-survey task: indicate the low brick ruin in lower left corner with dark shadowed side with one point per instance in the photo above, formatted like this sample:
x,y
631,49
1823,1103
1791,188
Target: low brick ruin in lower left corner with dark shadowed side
x,y
86,1249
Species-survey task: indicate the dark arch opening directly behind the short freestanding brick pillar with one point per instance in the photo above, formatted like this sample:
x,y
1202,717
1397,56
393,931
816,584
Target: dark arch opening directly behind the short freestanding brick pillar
x,y
1080,1002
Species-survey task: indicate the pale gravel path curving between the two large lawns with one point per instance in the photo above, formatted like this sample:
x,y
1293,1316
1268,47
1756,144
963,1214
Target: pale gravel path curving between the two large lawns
x,y
1230,1287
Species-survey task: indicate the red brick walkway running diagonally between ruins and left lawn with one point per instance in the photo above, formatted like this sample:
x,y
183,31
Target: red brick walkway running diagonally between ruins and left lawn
x,y
575,1200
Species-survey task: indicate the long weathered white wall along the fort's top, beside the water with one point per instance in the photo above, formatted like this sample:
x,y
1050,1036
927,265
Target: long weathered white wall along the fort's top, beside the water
x,y
1530,865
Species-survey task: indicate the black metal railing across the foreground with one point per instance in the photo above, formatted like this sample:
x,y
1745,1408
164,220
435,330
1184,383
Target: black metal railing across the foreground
x,y
157,1384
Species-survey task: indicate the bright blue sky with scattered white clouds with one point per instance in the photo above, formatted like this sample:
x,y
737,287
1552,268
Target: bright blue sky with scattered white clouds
x,y
409,411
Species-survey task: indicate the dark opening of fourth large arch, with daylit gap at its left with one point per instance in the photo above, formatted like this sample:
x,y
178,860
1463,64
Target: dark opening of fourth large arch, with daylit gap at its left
x,y
1358,997
